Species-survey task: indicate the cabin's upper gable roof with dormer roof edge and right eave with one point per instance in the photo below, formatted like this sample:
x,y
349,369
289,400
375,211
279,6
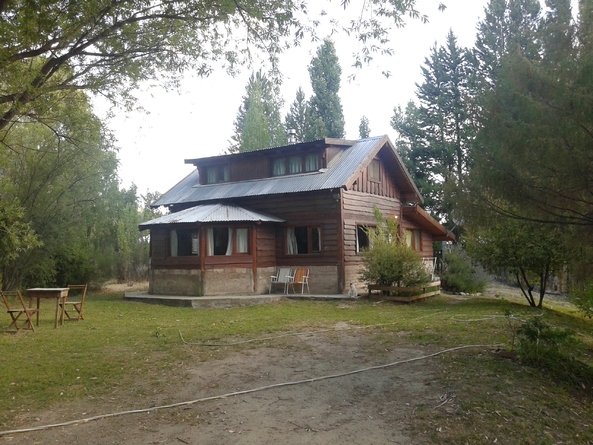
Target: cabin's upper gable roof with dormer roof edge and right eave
x,y
341,172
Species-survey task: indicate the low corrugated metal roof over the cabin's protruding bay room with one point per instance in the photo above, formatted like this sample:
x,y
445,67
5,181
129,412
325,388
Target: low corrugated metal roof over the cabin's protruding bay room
x,y
211,213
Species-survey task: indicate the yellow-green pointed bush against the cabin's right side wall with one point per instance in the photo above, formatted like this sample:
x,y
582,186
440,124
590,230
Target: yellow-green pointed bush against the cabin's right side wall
x,y
390,262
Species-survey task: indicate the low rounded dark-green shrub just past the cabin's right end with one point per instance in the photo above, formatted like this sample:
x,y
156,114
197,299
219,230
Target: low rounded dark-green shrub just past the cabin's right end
x,y
460,276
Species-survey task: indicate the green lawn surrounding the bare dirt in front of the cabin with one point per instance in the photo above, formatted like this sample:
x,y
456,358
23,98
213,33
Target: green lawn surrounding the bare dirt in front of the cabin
x,y
131,347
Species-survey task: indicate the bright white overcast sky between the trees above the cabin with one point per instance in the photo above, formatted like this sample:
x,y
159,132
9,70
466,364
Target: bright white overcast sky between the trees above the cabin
x,y
198,122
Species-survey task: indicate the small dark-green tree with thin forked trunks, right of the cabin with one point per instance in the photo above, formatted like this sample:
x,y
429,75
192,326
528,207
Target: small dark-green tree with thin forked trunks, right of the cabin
x,y
531,252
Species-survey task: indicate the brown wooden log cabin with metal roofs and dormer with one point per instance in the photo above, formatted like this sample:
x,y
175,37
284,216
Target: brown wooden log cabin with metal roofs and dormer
x,y
237,218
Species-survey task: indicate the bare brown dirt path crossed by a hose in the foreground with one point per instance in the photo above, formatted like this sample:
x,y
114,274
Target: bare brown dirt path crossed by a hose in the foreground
x,y
373,407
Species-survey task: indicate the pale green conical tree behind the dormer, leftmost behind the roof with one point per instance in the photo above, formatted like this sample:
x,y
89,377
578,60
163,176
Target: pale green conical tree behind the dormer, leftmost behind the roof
x,y
258,124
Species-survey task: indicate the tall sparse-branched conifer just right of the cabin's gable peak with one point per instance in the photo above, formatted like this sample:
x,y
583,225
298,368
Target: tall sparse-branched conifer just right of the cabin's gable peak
x,y
436,136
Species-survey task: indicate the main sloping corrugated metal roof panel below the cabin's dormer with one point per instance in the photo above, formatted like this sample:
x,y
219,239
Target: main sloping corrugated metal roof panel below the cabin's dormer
x,y
337,174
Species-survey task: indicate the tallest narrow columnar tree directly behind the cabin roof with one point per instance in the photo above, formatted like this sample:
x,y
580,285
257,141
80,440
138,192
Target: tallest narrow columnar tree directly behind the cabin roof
x,y
325,105
